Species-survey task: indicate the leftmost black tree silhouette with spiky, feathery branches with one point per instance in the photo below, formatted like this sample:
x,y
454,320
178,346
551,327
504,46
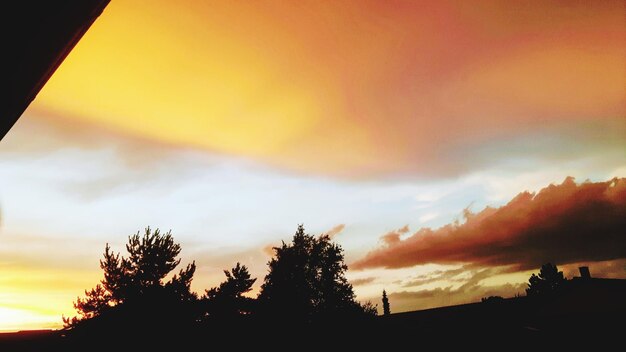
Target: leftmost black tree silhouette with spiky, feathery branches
x,y
138,280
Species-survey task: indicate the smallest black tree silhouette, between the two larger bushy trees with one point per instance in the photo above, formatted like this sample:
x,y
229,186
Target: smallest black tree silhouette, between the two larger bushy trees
x,y
227,301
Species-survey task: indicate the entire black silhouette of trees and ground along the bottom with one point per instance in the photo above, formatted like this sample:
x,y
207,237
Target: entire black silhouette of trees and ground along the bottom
x,y
144,302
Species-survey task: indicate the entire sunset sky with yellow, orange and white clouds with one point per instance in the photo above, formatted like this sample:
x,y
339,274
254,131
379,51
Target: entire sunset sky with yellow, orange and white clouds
x,y
451,148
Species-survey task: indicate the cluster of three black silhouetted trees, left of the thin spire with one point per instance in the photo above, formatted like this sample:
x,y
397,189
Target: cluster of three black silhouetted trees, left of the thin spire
x,y
305,287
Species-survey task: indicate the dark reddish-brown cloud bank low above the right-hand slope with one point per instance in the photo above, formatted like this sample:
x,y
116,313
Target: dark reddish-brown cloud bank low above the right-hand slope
x,y
565,223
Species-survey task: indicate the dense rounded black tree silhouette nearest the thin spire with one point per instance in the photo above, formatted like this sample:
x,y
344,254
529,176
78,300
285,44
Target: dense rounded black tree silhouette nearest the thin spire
x,y
306,281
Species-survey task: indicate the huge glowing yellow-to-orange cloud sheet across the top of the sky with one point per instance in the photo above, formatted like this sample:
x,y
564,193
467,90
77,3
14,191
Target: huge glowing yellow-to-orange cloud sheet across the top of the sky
x,y
352,89
